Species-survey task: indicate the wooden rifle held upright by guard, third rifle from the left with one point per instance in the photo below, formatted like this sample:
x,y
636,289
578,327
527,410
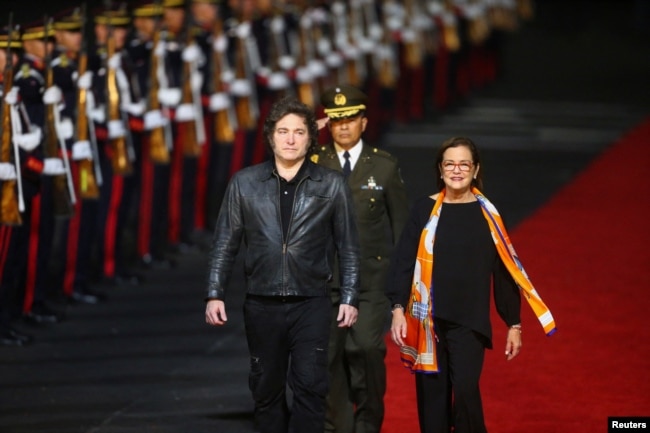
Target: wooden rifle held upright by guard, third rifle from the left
x,y
89,173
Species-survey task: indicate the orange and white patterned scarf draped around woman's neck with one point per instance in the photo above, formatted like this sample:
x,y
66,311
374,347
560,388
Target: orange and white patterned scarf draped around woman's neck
x,y
419,350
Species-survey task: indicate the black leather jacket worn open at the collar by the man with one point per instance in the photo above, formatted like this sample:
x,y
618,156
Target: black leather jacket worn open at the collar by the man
x,y
322,226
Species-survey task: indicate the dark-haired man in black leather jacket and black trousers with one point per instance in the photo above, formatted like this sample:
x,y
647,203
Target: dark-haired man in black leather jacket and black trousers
x,y
295,218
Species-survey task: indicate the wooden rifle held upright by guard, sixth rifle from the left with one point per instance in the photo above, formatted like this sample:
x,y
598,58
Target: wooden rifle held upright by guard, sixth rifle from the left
x,y
194,136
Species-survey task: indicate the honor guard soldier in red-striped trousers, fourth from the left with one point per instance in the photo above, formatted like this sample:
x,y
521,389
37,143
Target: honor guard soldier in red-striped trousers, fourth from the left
x,y
118,108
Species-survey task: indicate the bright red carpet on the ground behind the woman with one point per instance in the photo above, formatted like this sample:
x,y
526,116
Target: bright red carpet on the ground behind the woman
x,y
587,252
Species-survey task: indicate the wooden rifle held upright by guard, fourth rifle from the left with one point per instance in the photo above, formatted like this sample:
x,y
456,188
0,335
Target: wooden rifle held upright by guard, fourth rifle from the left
x,y
121,160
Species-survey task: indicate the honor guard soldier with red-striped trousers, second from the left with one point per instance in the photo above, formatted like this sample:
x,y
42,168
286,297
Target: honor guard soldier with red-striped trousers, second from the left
x,y
48,191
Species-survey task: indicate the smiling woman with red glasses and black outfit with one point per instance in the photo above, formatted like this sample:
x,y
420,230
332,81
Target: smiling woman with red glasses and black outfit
x,y
466,265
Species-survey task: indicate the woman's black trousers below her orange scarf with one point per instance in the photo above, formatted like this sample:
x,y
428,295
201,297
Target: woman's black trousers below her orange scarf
x,y
452,397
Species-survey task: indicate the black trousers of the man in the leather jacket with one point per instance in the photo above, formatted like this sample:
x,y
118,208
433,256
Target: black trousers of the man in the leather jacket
x,y
287,341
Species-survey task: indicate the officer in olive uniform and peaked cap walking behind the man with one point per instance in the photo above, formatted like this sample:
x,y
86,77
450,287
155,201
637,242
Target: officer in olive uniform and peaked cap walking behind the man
x,y
355,401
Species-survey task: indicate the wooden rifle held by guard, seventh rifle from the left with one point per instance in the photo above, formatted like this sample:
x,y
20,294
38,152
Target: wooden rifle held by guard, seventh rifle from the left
x,y
225,122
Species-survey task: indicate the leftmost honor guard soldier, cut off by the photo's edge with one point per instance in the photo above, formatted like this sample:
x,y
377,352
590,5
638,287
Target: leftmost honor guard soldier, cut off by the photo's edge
x,y
13,231
